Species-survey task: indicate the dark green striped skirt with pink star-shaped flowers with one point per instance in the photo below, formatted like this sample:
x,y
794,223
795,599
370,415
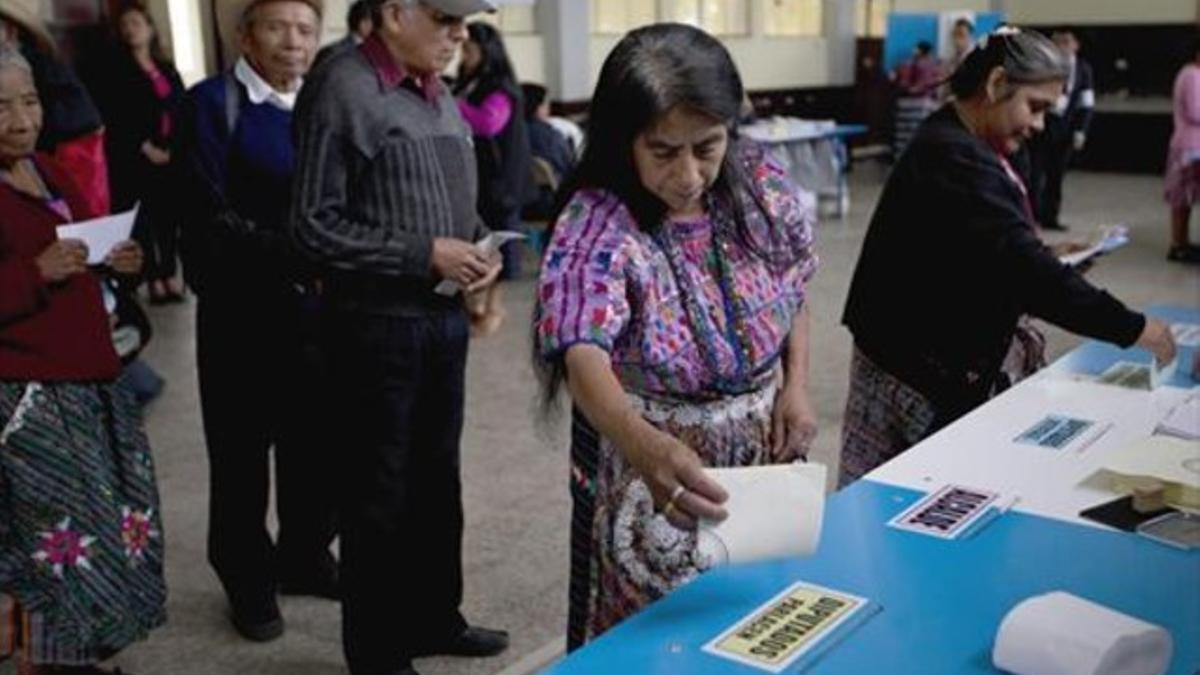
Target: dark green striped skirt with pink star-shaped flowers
x,y
81,533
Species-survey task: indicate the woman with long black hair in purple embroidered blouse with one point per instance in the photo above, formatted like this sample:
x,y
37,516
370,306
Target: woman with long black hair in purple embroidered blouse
x,y
673,301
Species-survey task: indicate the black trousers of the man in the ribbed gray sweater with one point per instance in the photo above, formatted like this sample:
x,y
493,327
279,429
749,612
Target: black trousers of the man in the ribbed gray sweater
x,y
400,384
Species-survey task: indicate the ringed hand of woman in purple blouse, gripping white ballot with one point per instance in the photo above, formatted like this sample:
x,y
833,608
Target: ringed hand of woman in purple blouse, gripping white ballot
x,y
679,483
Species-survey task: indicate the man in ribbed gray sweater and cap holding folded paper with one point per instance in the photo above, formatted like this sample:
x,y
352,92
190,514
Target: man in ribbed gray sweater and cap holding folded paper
x,y
385,202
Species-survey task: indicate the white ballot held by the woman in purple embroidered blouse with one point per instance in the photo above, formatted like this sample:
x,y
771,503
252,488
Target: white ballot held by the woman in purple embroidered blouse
x,y
775,511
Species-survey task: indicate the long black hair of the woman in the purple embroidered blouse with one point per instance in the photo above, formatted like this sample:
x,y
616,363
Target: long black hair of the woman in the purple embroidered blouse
x,y
652,71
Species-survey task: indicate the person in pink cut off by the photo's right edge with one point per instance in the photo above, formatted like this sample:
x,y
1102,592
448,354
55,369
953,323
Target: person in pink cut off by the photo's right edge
x,y
1184,160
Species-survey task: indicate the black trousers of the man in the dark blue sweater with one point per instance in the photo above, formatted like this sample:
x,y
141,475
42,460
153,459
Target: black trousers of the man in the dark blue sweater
x,y
262,387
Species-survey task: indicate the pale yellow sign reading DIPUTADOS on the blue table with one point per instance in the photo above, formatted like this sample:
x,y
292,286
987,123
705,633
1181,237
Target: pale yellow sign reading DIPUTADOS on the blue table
x,y
787,628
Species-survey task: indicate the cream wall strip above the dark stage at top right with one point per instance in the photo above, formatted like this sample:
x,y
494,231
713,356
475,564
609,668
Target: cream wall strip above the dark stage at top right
x,y
1102,11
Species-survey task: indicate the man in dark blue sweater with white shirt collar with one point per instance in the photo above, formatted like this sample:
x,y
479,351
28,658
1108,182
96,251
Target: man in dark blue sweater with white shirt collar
x,y
257,360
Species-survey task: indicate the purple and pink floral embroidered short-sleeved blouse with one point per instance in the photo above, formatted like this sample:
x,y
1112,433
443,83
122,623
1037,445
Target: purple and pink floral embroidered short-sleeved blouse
x,y
689,310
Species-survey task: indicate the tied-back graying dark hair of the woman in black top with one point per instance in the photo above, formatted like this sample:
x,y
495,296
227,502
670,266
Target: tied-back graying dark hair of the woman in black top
x,y
1028,58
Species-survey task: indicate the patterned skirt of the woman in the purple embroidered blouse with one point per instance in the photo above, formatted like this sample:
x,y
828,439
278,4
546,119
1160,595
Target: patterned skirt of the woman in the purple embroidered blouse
x,y
625,555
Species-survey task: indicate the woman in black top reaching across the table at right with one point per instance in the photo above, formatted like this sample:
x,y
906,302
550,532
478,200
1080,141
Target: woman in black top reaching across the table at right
x,y
952,260
